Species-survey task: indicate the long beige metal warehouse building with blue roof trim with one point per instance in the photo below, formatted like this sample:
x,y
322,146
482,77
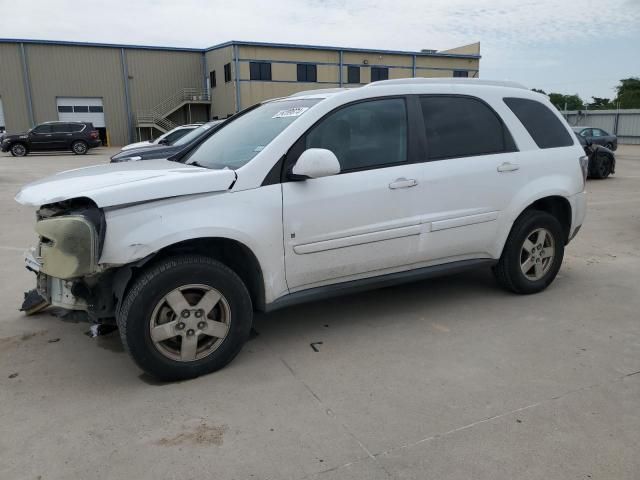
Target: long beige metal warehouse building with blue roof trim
x,y
135,92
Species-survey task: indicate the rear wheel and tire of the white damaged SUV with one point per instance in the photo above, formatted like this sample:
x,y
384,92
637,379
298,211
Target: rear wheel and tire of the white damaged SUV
x,y
532,255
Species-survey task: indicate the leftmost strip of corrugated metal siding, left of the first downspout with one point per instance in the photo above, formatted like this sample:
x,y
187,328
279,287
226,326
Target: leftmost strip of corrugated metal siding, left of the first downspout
x,y
14,99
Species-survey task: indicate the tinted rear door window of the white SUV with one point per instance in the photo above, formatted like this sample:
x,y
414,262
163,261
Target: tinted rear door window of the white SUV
x,y
462,127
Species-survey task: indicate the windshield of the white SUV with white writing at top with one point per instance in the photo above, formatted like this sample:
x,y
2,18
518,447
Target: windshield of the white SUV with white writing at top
x,y
235,144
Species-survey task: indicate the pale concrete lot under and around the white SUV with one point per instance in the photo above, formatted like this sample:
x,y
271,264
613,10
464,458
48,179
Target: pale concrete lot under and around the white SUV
x,y
445,379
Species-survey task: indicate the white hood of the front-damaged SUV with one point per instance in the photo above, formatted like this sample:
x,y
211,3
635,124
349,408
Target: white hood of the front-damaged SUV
x,y
123,183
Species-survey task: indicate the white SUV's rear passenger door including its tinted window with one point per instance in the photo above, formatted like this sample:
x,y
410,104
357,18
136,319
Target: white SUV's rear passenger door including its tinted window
x,y
472,170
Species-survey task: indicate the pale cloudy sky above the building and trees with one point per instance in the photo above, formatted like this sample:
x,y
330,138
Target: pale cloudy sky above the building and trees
x,y
565,46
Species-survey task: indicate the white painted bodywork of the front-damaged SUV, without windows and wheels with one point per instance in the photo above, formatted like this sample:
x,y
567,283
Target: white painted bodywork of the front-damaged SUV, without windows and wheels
x,y
300,232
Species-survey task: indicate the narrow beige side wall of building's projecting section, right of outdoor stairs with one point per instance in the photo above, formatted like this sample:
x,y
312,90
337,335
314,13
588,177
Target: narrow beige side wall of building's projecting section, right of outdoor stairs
x,y
223,96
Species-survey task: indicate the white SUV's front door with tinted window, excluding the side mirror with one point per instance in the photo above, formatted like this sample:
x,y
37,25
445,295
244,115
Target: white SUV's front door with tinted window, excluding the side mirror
x,y
365,220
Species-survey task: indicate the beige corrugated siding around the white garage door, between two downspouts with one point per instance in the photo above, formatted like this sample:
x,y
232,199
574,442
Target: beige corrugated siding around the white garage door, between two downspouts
x,y
69,71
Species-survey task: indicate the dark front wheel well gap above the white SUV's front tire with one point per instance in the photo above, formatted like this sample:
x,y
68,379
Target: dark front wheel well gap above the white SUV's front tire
x,y
235,255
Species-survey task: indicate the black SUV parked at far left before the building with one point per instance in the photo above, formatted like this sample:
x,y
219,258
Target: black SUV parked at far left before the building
x,y
77,137
